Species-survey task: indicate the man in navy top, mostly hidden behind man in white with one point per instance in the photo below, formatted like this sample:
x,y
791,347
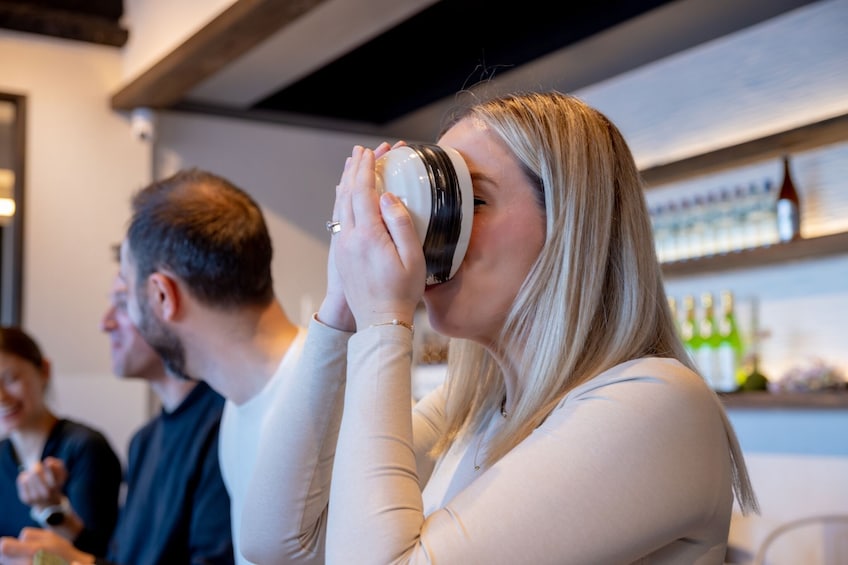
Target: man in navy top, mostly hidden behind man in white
x,y
177,509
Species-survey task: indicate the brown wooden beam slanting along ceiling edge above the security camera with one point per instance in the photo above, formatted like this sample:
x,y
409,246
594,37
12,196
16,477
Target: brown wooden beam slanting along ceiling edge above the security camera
x,y
234,32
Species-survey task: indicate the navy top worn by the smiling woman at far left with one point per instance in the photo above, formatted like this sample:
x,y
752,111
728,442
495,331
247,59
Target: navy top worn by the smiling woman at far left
x,y
93,485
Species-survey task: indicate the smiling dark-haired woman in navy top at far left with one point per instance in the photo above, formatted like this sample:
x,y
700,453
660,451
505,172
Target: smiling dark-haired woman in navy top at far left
x,y
54,473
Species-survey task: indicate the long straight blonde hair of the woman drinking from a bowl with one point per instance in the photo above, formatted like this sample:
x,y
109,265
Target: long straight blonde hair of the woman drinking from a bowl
x,y
596,278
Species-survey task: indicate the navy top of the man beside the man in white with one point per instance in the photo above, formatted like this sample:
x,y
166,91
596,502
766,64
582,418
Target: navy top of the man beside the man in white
x,y
177,508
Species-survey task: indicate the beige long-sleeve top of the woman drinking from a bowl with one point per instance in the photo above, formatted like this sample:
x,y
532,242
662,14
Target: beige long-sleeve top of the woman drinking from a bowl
x,y
633,465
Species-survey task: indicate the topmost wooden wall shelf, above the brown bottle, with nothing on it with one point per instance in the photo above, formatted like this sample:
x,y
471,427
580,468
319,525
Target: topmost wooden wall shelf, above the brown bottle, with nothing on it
x,y
805,137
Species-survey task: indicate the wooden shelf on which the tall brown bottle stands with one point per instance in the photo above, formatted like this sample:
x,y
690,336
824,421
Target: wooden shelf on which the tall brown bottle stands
x,y
802,249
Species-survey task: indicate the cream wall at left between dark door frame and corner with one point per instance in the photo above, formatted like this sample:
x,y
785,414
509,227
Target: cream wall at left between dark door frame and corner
x,y
81,166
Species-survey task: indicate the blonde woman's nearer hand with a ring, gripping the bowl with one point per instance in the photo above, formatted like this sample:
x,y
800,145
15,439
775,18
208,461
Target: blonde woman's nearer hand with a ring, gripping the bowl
x,y
377,253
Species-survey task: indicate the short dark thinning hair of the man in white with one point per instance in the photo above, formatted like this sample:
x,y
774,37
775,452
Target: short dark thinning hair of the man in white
x,y
206,231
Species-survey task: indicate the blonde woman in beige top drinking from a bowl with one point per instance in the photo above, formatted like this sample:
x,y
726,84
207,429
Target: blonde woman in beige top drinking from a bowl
x,y
572,427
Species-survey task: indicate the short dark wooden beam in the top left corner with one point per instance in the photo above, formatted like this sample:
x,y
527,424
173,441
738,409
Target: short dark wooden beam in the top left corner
x,y
65,24
